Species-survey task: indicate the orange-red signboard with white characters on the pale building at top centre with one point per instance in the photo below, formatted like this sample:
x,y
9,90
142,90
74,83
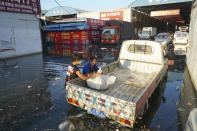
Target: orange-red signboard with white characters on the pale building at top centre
x,y
115,15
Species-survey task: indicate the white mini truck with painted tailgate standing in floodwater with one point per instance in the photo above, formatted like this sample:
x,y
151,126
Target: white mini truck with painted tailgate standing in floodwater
x,y
138,71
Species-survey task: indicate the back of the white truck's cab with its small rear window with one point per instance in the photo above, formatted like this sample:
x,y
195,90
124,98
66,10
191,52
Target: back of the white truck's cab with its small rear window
x,y
134,50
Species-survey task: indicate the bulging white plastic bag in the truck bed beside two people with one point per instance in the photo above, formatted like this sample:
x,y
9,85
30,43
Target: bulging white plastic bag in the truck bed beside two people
x,y
101,82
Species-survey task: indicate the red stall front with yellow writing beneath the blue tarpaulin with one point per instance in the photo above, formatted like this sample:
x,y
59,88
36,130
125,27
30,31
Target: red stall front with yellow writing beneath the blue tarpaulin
x,y
67,43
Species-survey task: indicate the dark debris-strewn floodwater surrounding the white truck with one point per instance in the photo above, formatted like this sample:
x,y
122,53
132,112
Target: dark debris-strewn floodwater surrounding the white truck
x,y
32,97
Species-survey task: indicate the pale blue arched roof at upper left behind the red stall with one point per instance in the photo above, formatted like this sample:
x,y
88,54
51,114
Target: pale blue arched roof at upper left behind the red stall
x,y
63,10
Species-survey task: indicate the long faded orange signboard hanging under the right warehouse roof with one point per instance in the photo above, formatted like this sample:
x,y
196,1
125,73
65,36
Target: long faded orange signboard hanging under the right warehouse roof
x,y
165,12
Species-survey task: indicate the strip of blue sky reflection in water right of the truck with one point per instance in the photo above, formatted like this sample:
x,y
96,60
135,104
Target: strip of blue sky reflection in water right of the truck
x,y
166,116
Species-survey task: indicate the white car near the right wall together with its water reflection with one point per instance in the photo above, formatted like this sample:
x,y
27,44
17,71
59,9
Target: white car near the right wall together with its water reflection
x,y
180,43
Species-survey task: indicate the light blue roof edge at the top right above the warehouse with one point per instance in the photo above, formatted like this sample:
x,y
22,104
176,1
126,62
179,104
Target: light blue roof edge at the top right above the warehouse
x,y
139,3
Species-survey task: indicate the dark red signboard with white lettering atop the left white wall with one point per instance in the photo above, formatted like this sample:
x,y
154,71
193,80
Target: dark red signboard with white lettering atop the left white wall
x,y
20,6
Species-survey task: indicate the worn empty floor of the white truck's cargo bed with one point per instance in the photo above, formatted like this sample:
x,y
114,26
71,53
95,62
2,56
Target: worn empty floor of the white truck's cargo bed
x,y
129,85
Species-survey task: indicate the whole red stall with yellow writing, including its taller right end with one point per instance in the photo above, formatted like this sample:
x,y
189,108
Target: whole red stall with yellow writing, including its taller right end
x,y
68,42
